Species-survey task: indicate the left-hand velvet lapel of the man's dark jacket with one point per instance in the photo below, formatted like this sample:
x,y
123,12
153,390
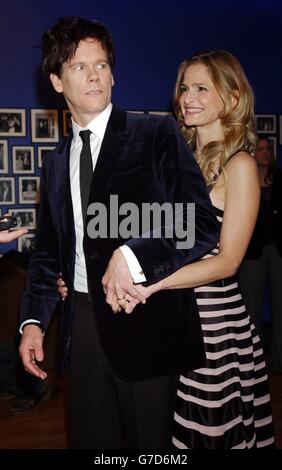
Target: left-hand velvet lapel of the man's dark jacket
x,y
62,175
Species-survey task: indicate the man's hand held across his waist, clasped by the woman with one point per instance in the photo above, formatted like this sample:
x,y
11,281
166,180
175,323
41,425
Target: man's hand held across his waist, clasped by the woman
x,y
117,282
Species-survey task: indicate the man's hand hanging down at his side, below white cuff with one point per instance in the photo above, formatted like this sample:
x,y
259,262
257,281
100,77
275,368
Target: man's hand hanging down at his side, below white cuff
x,y
31,350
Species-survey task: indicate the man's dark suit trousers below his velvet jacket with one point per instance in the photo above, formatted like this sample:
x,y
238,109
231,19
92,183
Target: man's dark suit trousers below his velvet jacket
x,y
106,411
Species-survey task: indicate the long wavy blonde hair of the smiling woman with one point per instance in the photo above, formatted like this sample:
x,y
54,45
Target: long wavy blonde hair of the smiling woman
x,y
237,121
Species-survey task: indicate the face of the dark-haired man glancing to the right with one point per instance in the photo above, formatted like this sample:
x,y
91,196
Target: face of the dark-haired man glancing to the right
x,y
86,82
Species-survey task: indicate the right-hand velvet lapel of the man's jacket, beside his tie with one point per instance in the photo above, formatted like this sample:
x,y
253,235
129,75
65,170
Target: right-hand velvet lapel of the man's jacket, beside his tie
x,y
111,150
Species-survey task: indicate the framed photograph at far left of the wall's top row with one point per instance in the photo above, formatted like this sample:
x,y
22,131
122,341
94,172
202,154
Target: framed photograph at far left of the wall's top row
x,y
12,122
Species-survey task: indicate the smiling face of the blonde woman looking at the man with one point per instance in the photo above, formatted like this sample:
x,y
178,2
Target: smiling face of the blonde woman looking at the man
x,y
200,102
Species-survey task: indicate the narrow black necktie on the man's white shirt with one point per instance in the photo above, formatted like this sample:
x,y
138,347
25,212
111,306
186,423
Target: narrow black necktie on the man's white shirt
x,y
86,171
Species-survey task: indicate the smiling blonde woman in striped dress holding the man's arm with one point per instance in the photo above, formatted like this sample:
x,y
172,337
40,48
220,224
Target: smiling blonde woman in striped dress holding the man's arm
x,y
227,403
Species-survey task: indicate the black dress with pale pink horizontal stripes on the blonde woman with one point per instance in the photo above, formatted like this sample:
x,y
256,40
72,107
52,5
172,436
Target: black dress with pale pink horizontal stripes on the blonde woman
x,y
226,404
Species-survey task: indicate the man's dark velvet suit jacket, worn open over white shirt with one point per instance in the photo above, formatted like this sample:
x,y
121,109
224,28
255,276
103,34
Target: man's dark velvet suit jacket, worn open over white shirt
x,y
142,159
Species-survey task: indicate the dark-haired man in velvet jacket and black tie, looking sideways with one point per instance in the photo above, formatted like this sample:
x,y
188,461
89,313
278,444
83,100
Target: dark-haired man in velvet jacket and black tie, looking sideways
x,y
122,367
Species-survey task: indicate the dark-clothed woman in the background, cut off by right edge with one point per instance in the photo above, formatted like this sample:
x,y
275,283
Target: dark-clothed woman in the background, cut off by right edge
x,y
263,260
